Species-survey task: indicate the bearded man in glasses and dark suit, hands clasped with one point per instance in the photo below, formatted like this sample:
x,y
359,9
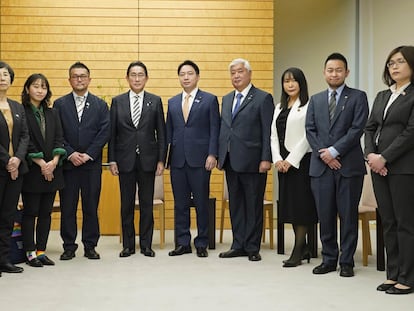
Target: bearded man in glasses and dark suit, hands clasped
x,y
85,123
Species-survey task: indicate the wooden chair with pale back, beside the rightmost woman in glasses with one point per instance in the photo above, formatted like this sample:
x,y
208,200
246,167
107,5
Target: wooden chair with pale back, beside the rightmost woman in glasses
x,y
367,212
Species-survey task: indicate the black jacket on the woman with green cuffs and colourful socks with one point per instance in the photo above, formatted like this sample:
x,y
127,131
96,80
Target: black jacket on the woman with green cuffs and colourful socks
x,y
34,181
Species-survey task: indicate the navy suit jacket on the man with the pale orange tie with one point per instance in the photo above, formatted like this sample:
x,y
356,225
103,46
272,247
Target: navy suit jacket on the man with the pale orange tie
x,y
194,141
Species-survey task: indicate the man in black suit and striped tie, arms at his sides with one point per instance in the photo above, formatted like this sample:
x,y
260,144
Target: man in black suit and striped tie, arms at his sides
x,y
136,153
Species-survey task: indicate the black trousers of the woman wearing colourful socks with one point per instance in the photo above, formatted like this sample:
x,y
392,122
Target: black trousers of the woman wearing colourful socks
x,y
36,205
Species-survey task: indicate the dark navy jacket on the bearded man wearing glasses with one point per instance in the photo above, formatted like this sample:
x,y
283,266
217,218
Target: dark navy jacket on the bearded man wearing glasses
x,y
90,135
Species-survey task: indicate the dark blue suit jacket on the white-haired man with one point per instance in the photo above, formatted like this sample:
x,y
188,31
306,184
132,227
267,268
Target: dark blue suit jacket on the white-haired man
x,y
246,138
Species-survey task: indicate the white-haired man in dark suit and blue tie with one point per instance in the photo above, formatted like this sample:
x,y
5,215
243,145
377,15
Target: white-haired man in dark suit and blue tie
x,y
245,154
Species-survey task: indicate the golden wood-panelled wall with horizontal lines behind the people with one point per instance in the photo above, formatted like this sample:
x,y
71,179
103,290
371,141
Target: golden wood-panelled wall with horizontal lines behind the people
x,y
49,35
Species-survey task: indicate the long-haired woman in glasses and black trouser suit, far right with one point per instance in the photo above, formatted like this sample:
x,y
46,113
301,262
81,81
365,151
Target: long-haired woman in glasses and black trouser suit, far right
x,y
389,148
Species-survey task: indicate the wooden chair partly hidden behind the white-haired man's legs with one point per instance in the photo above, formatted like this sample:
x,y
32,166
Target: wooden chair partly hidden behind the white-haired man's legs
x,y
267,210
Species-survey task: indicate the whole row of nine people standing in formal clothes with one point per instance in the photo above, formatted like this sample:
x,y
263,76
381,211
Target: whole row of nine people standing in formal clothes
x,y
313,143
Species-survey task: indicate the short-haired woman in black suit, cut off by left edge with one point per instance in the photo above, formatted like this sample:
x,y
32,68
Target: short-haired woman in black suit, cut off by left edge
x,y
14,139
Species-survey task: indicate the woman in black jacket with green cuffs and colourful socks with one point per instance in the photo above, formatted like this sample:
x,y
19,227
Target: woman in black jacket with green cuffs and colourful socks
x,y
45,154
